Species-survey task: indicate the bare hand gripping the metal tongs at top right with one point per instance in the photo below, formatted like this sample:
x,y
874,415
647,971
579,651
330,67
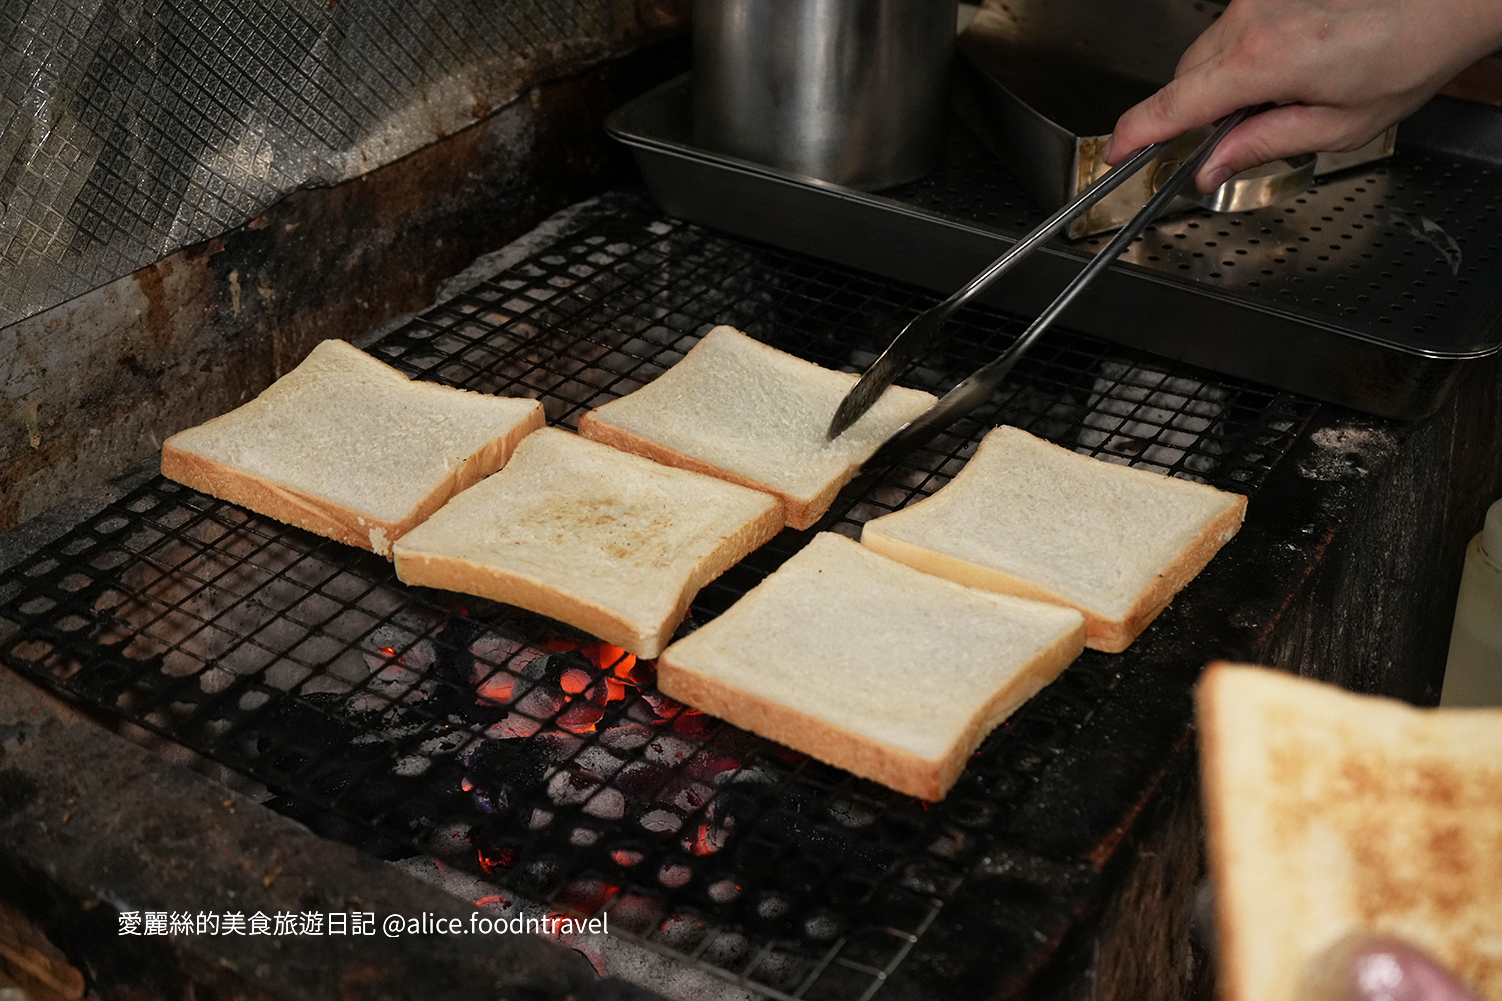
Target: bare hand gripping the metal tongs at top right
x,y
1342,71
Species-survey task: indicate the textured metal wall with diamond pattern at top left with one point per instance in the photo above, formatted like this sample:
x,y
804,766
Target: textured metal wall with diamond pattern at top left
x,y
131,129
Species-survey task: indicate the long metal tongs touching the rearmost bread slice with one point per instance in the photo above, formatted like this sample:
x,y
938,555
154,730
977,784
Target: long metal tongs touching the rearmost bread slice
x,y
923,331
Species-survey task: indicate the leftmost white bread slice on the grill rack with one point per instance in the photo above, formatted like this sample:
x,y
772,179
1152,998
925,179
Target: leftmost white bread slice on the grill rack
x,y
351,449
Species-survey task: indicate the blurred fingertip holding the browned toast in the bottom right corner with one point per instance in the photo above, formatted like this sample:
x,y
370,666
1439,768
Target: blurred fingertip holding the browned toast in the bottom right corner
x,y
1374,969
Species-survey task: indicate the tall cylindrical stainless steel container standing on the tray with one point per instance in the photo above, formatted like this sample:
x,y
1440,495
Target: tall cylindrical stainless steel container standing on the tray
x,y
846,91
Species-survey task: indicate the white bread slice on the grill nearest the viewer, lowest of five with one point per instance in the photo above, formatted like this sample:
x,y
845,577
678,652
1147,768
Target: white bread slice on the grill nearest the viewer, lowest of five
x,y
872,667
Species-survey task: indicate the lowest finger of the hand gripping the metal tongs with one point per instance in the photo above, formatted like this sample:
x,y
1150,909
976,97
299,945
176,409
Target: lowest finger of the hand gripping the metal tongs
x,y
1282,133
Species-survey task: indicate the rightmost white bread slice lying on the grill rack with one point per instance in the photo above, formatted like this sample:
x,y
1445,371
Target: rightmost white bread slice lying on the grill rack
x,y
1033,519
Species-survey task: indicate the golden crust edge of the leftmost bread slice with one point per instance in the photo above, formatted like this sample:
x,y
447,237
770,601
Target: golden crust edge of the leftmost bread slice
x,y
324,516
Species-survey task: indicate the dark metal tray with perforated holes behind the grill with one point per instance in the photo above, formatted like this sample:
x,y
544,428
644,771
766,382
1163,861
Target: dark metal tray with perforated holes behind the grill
x,y
1374,289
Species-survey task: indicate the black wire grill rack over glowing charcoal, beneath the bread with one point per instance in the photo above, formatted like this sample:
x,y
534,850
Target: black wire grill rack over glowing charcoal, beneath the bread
x,y
361,703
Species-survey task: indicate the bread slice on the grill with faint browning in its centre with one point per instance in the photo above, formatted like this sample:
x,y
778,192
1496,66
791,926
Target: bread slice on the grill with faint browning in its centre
x,y
609,542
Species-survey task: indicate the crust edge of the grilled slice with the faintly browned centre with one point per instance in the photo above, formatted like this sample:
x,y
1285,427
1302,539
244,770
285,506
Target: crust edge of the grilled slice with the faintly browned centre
x,y
644,640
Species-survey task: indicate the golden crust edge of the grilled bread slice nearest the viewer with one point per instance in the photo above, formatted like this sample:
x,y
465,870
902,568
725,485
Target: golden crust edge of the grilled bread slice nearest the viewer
x,y
908,773
